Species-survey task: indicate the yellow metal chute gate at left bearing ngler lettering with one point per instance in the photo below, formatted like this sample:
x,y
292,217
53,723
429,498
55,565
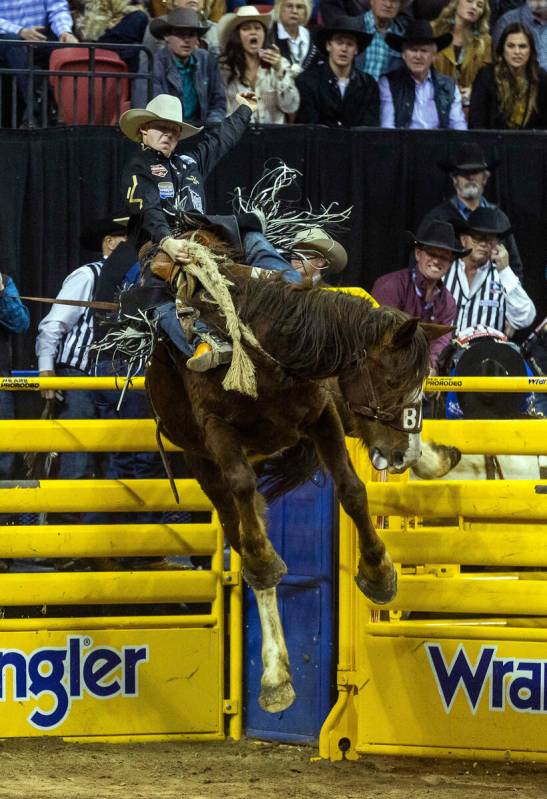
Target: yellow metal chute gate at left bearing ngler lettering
x,y
101,652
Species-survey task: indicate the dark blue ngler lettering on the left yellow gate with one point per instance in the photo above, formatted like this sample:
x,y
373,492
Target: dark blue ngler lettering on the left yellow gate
x,y
68,673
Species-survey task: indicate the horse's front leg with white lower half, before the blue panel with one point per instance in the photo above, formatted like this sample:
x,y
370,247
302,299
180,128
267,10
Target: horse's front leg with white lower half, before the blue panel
x,y
262,566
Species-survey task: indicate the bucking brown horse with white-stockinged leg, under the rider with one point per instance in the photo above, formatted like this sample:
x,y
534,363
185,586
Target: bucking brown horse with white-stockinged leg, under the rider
x,y
320,348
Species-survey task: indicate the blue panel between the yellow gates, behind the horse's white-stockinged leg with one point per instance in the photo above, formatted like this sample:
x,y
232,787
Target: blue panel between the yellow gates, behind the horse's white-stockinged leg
x,y
303,529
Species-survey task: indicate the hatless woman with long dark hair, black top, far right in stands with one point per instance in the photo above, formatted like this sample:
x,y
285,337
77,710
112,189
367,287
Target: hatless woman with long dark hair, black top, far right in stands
x,y
511,94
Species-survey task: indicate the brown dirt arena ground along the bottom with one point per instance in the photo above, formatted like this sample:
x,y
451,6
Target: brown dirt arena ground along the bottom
x,y
32,769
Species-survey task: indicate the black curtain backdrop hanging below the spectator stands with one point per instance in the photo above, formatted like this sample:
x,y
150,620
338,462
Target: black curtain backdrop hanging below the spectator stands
x,y
54,182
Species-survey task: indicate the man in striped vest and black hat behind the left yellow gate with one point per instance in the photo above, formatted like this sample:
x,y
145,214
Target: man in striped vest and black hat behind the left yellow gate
x,y
65,334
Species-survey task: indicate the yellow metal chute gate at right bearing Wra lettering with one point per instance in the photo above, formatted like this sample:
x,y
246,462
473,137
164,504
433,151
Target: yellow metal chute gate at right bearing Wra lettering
x,y
456,664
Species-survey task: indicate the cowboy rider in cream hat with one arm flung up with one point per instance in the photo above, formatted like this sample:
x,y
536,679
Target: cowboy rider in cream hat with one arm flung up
x,y
158,184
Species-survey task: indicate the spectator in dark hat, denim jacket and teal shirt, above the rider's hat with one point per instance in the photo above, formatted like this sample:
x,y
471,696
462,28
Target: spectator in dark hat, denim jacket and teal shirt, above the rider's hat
x,y
185,70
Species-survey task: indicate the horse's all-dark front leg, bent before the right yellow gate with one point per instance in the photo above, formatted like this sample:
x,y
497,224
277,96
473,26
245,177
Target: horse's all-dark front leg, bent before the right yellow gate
x,y
376,577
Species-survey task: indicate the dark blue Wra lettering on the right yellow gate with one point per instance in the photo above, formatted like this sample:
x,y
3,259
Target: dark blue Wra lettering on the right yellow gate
x,y
519,684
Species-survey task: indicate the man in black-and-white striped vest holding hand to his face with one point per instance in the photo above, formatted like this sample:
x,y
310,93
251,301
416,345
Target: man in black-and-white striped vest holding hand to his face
x,y
486,290
